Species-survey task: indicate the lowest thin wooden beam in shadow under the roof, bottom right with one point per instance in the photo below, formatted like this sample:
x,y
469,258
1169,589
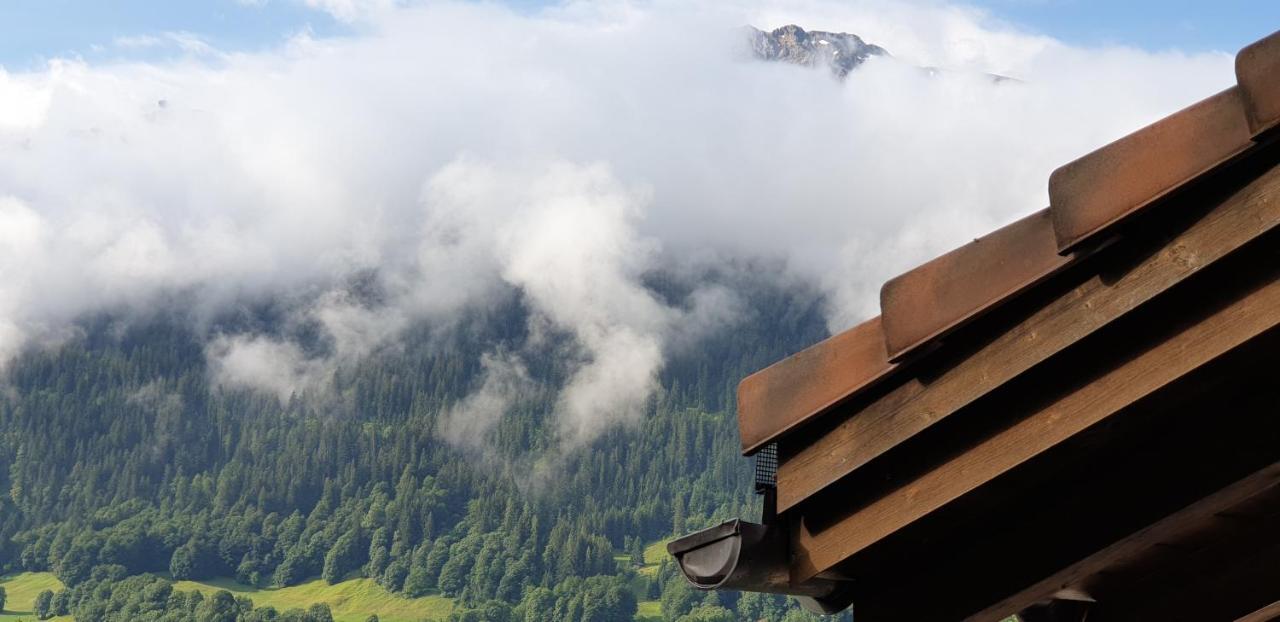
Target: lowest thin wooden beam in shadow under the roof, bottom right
x,y
1172,528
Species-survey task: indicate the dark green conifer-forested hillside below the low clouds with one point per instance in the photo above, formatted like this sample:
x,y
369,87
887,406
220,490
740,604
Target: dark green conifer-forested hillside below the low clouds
x,y
118,458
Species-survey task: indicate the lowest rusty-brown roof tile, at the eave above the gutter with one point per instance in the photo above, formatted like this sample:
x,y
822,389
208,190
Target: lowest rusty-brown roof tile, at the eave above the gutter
x,y
790,392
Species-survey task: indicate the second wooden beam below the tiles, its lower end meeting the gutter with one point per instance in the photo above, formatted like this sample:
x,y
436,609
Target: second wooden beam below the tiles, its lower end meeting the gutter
x,y
1192,346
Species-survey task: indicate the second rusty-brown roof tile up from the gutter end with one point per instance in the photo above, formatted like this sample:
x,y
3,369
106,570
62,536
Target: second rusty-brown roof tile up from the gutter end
x,y
940,296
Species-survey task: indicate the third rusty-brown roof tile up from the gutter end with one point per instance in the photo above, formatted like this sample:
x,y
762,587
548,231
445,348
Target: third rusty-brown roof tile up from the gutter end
x,y
1104,187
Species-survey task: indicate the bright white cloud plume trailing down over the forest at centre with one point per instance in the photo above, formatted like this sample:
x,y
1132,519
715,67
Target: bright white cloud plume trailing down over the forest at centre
x,y
575,253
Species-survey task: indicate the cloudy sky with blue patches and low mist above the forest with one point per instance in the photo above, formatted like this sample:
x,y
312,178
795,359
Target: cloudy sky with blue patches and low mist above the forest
x,y
367,168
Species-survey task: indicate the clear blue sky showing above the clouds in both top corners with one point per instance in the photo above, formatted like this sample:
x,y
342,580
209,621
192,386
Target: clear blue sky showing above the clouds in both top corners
x,y
34,31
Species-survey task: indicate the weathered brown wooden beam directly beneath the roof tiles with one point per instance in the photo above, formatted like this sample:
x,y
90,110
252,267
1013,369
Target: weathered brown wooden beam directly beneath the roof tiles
x,y
917,405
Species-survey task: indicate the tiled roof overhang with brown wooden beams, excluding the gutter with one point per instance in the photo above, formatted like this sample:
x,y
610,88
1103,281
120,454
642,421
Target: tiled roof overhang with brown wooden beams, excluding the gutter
x,y
1072,395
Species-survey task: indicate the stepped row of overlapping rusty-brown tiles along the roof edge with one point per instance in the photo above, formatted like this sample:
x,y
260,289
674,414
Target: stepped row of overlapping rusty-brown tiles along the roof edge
x,y
1090,200
